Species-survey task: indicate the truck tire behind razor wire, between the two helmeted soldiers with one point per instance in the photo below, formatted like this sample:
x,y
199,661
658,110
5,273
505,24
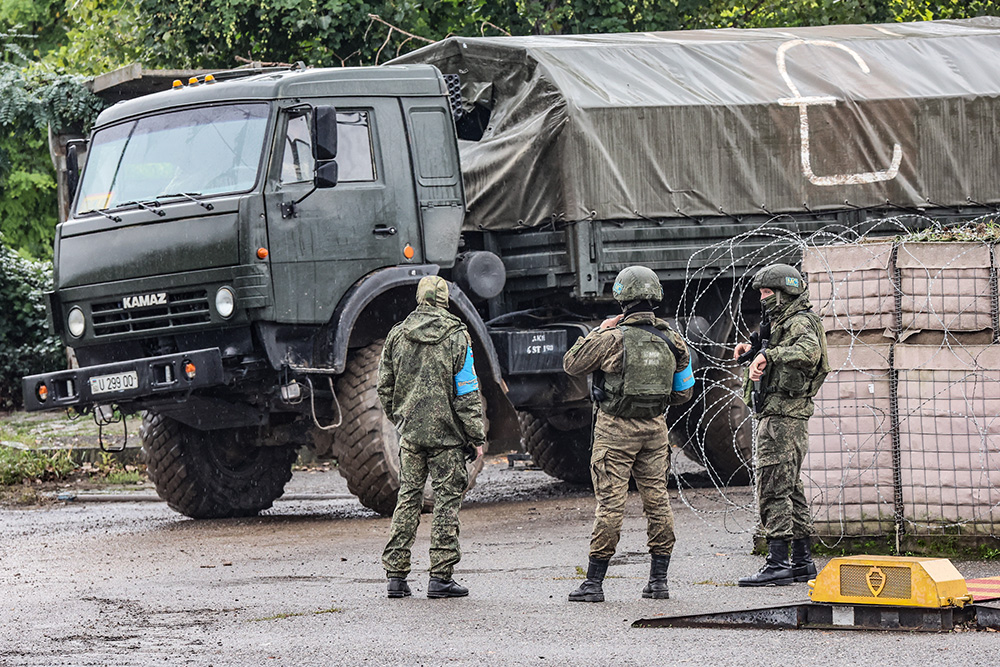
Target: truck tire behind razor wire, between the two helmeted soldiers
x,y
719,428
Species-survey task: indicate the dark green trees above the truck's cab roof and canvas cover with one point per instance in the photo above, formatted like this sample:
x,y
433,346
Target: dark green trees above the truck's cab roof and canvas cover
x,y
216,33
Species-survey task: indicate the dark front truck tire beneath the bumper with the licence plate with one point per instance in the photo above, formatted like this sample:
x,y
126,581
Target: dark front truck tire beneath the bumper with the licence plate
x,y
213,474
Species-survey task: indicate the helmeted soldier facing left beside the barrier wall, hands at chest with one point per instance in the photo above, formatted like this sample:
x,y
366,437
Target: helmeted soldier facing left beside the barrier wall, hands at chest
x,y
787,364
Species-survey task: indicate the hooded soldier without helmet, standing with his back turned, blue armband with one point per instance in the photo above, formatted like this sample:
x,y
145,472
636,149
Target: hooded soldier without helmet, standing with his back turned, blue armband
x,y
428,387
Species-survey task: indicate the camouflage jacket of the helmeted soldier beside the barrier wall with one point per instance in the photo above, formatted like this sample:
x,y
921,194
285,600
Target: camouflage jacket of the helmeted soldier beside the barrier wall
x,y
793,356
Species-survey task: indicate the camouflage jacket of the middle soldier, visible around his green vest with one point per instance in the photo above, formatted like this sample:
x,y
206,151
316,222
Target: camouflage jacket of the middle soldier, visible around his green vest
x,y
603,350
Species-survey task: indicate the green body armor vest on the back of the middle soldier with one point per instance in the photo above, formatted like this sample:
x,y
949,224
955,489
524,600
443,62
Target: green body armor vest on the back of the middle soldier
x,y
642,389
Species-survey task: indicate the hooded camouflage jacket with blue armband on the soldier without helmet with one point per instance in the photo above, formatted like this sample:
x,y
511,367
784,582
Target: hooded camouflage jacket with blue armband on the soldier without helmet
x,y
427,381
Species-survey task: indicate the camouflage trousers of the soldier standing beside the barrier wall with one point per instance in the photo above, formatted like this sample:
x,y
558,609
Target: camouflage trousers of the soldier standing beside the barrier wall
x,y
782,443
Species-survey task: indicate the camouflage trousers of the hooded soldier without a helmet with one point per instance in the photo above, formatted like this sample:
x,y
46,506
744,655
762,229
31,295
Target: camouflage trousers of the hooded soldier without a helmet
x,y
446,466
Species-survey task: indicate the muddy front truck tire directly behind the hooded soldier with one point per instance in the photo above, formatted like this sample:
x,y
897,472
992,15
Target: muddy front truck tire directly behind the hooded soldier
x,y
368,442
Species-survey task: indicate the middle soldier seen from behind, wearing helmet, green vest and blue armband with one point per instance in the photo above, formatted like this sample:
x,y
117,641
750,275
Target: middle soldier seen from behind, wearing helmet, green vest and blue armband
x,y
640,366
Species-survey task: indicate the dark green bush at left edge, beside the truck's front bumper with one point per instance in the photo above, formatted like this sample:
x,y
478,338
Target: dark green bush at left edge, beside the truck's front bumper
x,y
26,347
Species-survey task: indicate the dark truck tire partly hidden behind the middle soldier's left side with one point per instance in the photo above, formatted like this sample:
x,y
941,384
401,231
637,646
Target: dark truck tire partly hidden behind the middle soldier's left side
x,y
564,455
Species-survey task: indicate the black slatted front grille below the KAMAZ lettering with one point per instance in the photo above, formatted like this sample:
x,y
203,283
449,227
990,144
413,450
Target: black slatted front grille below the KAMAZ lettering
x,y
182,308
